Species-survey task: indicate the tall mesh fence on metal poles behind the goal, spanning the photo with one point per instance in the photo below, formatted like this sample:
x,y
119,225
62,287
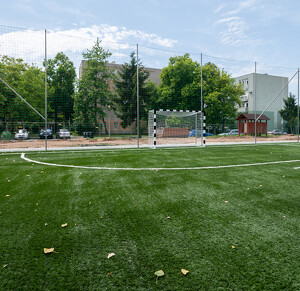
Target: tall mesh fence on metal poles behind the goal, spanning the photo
x,y
69,91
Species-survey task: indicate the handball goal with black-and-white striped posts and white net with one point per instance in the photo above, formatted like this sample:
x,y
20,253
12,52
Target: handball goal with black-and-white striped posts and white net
x,y
176,128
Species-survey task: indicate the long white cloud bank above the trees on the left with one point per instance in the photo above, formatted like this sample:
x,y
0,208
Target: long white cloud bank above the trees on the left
x,y
30,44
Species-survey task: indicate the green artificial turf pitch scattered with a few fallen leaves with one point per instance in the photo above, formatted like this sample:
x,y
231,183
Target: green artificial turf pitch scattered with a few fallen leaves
x,y
231,228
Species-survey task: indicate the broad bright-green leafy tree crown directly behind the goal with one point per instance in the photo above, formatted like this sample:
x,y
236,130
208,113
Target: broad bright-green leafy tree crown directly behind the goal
x,y
181,89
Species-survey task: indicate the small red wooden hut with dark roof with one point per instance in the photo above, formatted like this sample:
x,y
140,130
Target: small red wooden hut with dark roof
x,y
247,124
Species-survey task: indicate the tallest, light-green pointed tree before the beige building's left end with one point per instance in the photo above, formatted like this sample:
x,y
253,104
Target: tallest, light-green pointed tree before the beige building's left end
x,y
94,94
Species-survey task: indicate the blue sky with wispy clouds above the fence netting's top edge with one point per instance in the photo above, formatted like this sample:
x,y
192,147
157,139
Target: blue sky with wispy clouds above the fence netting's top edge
x,y
264,31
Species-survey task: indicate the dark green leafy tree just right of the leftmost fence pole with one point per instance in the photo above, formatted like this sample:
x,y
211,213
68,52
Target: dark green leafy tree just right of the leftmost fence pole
x,y
61,77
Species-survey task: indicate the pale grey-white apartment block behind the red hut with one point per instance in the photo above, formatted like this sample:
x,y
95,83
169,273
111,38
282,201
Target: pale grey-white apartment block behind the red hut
x,y
262,89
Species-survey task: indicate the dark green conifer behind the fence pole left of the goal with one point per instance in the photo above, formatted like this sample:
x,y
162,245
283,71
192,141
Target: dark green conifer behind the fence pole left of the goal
x,y
125,102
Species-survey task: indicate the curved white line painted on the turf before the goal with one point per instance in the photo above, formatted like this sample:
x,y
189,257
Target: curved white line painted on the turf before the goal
x,y
155,169
